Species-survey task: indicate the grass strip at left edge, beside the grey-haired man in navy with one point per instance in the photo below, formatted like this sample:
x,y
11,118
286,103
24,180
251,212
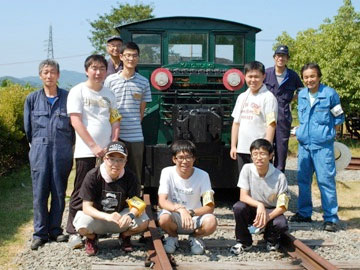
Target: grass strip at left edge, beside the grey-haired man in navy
x,y
15,214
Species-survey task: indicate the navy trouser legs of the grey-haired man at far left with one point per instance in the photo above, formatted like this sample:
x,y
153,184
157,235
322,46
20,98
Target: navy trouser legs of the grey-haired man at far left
x,y
49,173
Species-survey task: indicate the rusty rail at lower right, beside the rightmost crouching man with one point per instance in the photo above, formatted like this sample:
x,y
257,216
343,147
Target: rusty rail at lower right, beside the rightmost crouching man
x,y
299,251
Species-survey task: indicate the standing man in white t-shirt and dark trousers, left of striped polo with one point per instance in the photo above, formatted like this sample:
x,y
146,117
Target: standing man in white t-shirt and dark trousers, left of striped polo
x,y
93,114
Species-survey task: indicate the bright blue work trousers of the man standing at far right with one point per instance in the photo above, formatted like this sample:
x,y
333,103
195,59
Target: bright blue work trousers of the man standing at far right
x,y
322,162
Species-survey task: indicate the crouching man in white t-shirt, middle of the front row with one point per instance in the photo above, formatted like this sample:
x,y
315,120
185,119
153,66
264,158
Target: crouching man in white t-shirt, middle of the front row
x,y
180,191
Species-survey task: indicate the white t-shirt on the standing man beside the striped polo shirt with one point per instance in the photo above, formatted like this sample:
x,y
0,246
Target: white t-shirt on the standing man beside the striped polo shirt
x,y
94,107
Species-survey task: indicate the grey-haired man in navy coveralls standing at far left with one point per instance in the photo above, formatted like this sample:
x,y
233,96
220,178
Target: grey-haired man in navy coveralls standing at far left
x,y
51,137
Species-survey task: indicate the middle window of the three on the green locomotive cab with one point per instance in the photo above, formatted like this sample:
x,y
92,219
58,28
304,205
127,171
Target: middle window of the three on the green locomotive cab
x,y
187,47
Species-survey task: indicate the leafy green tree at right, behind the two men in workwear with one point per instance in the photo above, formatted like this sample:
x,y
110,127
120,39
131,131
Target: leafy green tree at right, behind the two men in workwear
x,y
335,47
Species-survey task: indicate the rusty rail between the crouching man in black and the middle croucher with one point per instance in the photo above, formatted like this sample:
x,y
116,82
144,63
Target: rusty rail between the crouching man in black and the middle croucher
x,y
157,258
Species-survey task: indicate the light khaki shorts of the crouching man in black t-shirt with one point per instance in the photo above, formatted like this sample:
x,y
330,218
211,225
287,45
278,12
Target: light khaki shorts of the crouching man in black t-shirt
x,y
98,226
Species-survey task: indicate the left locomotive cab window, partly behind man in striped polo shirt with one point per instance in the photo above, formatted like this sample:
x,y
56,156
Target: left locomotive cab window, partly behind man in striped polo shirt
x,y
150,48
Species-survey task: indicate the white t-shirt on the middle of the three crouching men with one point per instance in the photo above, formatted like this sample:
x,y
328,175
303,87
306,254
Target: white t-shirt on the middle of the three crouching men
x,y
187,192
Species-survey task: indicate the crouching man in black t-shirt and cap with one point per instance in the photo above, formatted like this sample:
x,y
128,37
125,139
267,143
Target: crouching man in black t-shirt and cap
x,y
110,204
